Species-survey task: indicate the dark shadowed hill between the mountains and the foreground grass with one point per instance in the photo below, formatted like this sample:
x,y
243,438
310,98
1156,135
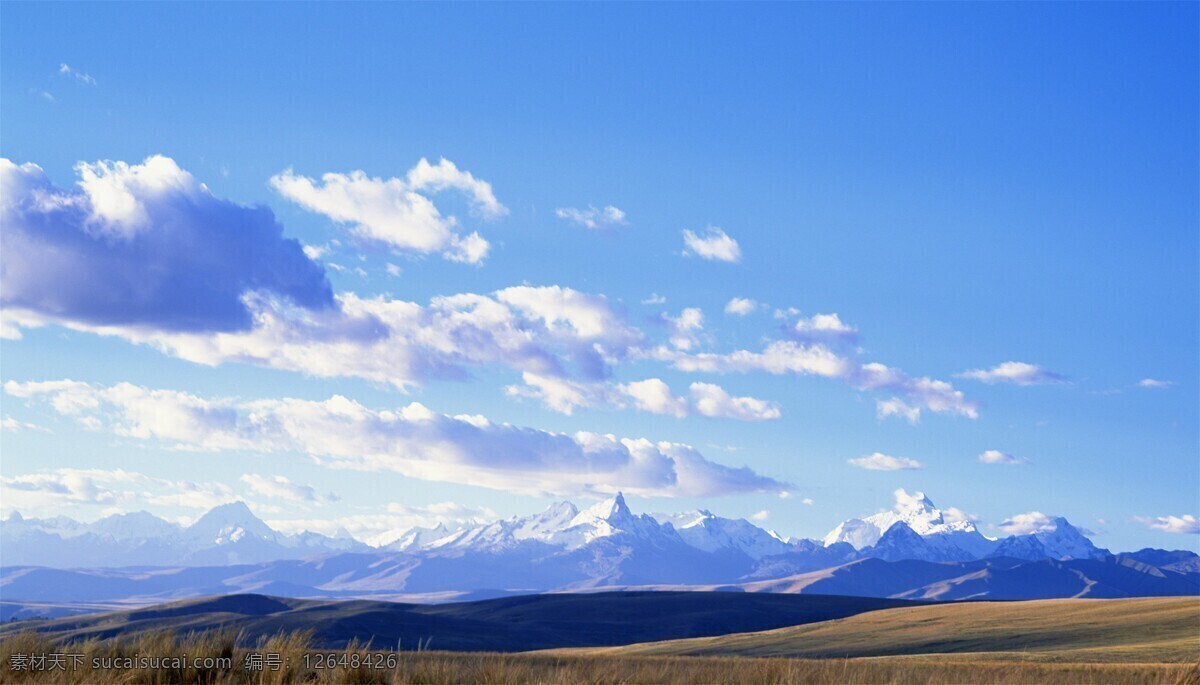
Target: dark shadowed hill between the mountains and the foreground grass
x,y
507,624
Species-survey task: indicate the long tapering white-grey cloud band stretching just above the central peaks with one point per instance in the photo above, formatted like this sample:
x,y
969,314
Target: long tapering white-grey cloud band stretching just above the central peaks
x,y
411,441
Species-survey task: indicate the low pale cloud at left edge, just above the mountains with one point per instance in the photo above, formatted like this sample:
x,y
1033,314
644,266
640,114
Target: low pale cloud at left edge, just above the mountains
x,y
55,490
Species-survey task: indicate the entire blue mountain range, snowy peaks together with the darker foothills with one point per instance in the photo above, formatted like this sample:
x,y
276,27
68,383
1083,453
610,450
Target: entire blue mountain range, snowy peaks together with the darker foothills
x,y
567,550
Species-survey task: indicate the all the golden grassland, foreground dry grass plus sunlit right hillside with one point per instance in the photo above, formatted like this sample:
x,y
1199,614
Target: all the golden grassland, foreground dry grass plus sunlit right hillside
x,y
1144,641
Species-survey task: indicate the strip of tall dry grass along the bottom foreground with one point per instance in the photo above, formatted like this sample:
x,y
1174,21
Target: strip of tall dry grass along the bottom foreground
x,y
298,660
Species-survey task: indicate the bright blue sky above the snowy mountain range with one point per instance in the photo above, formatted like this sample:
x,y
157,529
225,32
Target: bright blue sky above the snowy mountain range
x,y
963,185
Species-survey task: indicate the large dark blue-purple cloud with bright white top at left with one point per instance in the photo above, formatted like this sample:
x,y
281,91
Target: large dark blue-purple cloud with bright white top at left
x,y
145,245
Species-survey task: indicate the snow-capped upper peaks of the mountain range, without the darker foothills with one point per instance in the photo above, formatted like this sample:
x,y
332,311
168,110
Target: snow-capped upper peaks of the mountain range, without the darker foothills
x,y
232,534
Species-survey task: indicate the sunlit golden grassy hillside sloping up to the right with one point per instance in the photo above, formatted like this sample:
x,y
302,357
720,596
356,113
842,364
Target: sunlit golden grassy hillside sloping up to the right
x,y
1126,630
